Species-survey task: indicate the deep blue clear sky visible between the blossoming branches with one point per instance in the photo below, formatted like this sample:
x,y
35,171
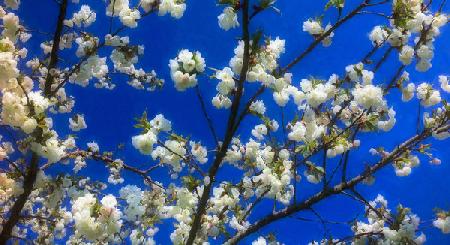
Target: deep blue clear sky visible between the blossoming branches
x,y
110,114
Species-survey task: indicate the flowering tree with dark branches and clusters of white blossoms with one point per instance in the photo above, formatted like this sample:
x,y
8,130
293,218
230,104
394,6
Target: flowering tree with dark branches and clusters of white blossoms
x,y
315,142
